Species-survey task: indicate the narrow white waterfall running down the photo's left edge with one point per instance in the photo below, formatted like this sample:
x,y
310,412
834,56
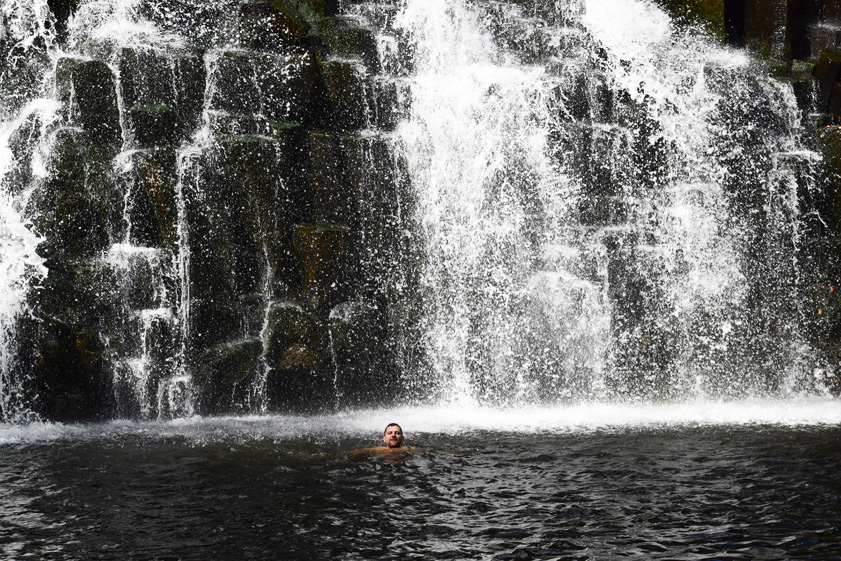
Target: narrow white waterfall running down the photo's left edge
x,y
24,30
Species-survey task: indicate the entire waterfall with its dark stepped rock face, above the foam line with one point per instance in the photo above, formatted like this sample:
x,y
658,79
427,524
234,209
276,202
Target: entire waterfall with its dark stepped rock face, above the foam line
x,y
537,201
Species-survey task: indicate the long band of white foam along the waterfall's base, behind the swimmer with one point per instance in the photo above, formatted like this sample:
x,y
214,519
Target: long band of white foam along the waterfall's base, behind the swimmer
x,y
417,422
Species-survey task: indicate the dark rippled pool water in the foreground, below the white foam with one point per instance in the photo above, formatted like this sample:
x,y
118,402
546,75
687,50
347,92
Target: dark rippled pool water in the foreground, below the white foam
x,y
128,492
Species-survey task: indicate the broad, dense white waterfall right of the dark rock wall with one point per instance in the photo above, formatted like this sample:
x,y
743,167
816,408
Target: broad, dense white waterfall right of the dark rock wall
x,y
607,206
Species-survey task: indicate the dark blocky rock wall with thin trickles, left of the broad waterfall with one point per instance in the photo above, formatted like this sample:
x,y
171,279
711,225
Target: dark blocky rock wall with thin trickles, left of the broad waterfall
x,y
217,212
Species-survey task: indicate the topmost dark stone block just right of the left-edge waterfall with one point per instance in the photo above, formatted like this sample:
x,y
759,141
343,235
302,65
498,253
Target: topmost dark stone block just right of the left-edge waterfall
x,y
88,91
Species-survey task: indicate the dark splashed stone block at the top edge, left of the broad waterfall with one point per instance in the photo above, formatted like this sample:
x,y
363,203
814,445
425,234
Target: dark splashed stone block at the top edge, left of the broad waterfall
x,y
270,25
